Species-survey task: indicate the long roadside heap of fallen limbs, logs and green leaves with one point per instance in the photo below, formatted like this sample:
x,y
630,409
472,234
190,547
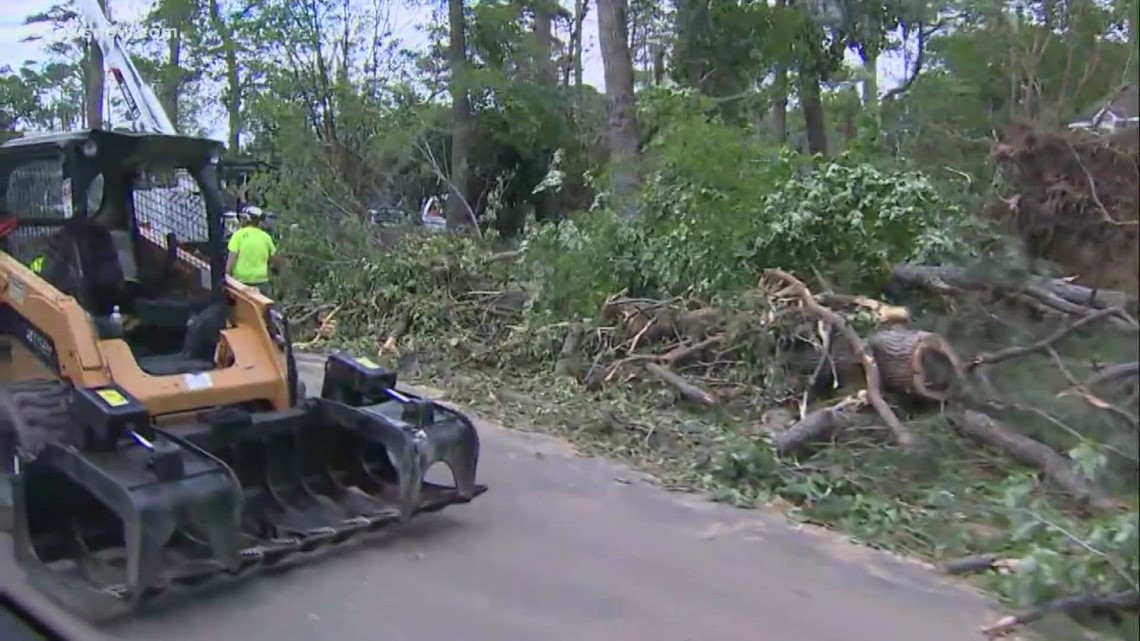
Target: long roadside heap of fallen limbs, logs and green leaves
x,y
759,384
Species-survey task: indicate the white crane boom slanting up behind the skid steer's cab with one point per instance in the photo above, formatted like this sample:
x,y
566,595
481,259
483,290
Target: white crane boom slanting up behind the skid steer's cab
x,y
142,102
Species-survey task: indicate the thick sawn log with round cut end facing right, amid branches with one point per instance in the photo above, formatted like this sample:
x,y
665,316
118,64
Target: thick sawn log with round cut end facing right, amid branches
x,y
919,364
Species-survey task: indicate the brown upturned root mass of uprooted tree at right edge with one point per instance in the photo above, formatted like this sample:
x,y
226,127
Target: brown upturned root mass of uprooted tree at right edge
x,y
1076,200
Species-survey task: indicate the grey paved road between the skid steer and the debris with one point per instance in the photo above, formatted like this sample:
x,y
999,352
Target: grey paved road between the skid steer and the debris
x,y
567,549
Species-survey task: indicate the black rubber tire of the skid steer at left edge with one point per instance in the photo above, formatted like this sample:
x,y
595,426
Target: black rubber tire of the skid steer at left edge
x,y
32,413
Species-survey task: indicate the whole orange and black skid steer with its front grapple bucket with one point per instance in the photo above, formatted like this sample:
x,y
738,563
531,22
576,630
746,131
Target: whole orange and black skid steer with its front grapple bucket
x,y
153,428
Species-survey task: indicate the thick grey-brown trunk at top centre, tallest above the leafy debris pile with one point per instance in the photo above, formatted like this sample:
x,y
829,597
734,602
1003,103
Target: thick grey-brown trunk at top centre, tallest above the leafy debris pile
x,y
624,134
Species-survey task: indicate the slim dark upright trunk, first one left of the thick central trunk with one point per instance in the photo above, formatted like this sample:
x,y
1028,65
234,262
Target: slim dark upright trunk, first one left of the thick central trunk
x,y
459,216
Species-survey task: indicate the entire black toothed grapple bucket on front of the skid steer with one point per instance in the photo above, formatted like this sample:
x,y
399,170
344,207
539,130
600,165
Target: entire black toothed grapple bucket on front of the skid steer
x,y
107,526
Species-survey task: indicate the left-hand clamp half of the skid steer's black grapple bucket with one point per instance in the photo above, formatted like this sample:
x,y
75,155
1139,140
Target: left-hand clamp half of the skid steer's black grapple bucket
x,y
94,529
